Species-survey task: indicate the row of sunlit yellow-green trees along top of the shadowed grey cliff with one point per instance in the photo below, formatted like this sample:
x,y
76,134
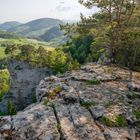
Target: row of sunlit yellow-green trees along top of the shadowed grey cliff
x,y
56,59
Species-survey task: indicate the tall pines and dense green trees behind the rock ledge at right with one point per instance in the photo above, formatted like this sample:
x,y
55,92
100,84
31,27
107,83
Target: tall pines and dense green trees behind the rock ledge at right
x,y
114,33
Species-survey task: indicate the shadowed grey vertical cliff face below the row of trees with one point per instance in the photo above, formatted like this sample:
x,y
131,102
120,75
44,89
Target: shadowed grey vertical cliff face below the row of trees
x,y
24,79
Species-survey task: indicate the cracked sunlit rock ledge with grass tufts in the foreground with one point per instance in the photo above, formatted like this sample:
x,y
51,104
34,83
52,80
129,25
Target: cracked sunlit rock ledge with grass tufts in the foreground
x,y
93,103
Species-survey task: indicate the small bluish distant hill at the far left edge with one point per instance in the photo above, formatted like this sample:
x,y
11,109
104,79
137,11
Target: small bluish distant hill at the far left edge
x,y
8,25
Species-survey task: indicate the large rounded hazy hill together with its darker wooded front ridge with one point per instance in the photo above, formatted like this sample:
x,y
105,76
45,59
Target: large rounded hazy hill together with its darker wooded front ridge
x,y
45,29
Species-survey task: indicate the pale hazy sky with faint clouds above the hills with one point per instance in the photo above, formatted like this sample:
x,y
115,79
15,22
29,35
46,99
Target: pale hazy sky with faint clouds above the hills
x,y
26,10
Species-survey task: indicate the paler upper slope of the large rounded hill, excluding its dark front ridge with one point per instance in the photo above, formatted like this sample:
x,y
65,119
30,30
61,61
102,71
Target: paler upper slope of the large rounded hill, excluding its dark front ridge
x,y
36,28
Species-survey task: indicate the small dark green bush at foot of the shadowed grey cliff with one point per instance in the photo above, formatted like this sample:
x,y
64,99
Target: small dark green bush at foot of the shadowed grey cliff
x,y
11,108
